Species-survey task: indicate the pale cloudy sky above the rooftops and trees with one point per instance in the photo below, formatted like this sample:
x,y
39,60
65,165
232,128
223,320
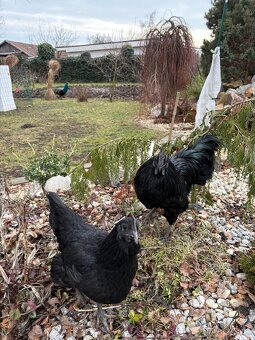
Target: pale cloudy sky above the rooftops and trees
x,y
98,16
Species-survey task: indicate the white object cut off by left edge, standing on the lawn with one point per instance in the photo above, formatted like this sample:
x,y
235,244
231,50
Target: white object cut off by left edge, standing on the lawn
x,y
6,97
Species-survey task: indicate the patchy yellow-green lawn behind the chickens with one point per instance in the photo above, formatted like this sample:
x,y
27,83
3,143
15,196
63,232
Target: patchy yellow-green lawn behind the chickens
x,y
79,125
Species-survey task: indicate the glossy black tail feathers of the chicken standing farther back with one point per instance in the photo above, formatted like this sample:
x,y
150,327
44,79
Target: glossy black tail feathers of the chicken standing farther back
x,y
196,162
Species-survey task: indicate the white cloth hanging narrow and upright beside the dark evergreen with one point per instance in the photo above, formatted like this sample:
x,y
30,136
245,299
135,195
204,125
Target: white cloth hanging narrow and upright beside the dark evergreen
x,y
210,90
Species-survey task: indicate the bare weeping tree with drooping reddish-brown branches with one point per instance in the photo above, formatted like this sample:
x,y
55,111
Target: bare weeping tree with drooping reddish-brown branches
x,y
168,59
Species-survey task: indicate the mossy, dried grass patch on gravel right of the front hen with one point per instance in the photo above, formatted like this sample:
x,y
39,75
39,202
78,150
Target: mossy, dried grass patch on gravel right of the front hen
x,y
188,261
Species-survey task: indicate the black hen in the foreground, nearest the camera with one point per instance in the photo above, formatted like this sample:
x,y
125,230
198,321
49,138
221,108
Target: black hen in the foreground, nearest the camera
x,y
100,265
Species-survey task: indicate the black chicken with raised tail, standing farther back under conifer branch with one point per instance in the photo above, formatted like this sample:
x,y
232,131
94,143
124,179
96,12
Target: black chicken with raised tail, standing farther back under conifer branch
x,y
165,182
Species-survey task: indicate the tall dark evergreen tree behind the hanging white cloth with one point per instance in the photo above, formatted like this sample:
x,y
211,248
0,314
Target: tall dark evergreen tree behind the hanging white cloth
x,y
238,39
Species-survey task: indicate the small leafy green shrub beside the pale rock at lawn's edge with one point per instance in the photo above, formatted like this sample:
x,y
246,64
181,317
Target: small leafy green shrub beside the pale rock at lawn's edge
x,y
50,163
